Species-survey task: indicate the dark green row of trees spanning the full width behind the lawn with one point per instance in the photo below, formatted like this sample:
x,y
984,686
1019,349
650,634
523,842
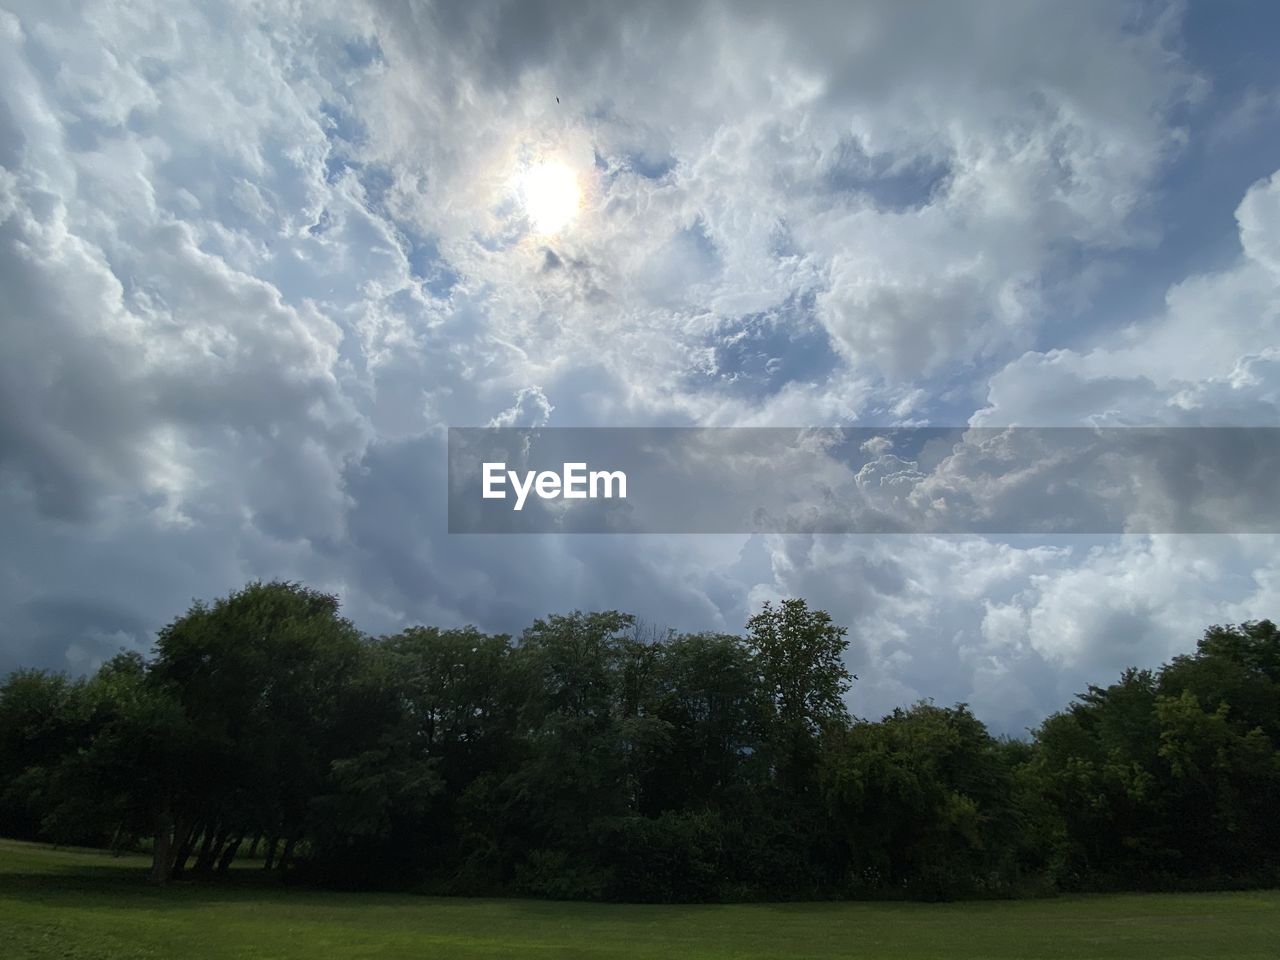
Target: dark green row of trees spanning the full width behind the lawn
x,y
591,758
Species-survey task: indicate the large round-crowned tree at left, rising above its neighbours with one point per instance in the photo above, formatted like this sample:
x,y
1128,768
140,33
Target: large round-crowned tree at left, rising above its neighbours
x,y
260,678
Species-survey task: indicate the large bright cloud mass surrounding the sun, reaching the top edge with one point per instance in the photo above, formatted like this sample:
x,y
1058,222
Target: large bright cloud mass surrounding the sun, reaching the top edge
x,y
1037,154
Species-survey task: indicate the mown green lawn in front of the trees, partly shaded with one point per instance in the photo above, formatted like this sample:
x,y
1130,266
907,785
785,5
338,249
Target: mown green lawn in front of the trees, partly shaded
x,y
79,904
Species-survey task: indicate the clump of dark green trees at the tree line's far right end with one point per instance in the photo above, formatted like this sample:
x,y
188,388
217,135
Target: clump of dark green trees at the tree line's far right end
x,y
1173,779
